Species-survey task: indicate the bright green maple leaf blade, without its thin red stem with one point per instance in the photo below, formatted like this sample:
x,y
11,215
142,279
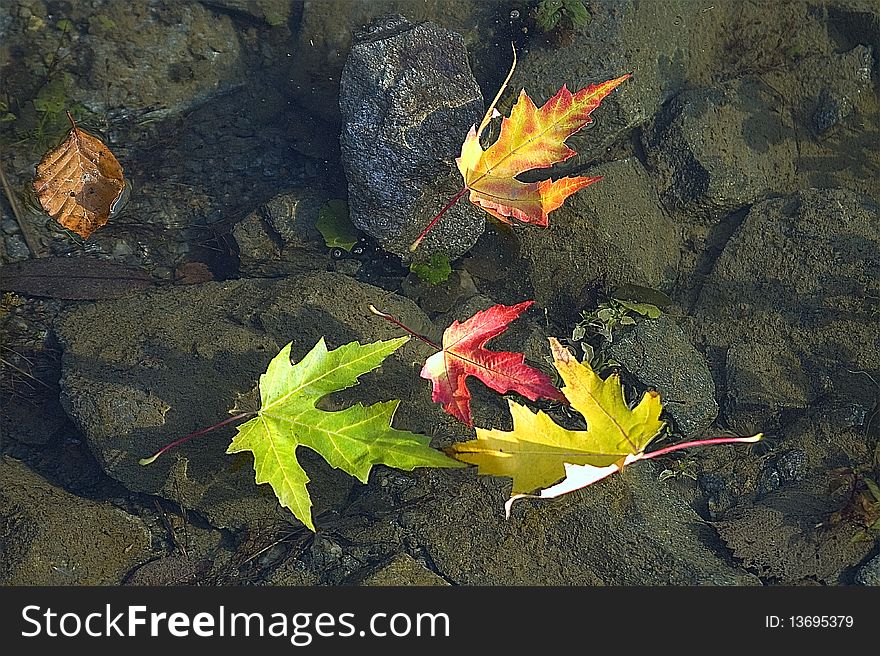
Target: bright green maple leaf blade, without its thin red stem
x,y
353,439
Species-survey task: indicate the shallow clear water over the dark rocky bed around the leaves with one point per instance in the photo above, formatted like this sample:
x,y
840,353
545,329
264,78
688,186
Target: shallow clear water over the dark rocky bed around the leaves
x,y
740,180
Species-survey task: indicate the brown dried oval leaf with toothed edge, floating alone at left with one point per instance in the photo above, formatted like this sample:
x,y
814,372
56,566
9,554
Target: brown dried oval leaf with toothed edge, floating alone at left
x,y
79,182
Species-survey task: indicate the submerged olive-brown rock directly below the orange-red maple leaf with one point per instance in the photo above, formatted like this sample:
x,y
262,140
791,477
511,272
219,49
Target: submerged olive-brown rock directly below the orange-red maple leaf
x,y
615,231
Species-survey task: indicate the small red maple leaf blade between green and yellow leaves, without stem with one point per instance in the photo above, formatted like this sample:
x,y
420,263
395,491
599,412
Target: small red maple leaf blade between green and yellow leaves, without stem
x,y
464,355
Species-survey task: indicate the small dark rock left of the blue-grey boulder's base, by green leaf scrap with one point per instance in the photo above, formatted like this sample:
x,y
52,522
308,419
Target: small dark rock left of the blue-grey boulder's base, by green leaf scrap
x,y
280,237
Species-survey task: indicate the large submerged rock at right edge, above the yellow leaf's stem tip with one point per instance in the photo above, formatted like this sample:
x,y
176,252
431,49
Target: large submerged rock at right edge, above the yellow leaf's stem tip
x,y
798,277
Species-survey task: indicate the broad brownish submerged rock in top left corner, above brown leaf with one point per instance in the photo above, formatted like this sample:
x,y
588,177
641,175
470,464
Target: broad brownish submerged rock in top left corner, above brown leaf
x,y
143,55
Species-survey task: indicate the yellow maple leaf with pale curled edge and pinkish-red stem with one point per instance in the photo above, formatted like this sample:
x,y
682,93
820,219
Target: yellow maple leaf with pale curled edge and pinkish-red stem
x,y
539,454
